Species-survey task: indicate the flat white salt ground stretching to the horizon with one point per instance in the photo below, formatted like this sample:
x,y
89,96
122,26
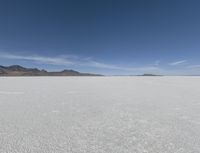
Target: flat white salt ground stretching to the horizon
x,y
100,115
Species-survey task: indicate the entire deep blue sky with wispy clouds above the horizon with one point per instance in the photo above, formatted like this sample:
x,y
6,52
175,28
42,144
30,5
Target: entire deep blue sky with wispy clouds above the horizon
x,y
102,36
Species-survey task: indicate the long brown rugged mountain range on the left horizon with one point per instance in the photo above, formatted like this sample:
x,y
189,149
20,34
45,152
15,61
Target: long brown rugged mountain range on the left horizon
x,y
17,70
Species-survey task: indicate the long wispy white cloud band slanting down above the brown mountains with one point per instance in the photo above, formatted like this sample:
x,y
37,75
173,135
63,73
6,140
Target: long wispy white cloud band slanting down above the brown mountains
x,y
69,60
